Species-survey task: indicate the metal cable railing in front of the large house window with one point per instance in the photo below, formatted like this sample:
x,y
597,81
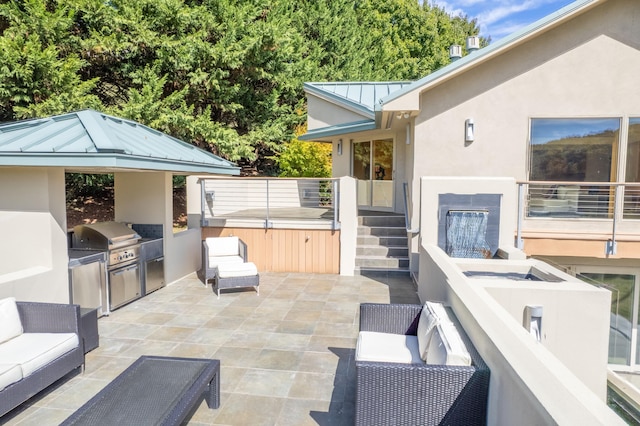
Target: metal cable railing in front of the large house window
x,y
612,202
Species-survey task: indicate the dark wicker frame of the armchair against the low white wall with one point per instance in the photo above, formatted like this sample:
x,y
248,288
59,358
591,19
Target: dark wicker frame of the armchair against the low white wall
x,y
417,393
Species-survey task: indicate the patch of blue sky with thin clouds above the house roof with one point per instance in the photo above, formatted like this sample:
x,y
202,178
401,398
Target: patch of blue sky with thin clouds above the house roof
x,y
499,18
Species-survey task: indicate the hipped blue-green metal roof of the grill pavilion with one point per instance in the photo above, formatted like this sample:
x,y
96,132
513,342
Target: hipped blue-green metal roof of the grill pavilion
x,y
88,139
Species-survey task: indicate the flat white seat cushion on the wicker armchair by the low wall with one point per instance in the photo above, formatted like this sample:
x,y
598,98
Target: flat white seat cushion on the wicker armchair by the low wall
x,y
387,347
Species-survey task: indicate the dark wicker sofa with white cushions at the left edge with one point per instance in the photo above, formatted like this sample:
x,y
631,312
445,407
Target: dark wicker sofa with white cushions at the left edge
x,y
43,351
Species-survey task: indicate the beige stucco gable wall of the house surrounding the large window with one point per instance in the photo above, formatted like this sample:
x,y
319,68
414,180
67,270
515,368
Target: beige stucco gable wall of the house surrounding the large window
x,y
583,68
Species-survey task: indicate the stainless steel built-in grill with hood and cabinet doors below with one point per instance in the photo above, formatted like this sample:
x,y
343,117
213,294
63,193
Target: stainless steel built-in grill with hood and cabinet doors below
x,y
122,245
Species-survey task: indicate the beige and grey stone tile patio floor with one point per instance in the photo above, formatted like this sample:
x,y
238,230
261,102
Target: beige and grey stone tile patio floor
x,y
287,355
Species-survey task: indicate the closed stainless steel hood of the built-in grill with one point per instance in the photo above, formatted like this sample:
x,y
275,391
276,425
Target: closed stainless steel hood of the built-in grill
x,y
104,235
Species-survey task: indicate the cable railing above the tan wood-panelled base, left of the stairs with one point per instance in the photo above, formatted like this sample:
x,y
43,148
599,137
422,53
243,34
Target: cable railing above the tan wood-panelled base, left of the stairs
x,y
270,199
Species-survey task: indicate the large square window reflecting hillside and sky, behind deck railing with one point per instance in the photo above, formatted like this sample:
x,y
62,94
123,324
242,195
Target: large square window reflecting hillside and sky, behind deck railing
x,y
567,150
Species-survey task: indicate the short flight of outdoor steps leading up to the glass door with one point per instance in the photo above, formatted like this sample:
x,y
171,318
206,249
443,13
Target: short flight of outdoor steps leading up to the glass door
x,y
382,246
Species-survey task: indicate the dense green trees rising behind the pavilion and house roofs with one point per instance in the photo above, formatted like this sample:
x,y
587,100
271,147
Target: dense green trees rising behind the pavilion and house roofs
x,y
225,75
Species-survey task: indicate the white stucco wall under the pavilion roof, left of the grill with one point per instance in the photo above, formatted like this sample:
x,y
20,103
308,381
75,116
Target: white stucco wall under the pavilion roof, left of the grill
x,y
33,230
